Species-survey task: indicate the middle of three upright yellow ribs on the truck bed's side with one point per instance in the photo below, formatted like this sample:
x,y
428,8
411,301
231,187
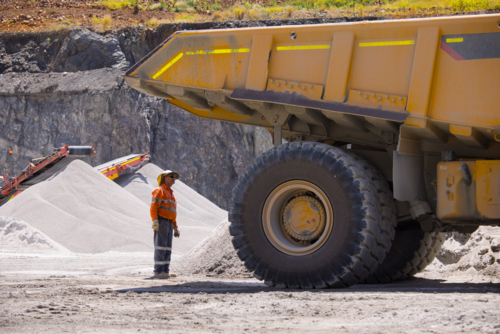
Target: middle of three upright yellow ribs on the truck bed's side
x,y
339,66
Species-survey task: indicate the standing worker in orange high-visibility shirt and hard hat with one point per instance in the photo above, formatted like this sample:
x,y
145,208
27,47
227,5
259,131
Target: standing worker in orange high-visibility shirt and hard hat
x,y
164,213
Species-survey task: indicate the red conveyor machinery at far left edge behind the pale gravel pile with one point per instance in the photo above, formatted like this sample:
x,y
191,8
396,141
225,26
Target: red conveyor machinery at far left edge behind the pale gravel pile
x,y
41,169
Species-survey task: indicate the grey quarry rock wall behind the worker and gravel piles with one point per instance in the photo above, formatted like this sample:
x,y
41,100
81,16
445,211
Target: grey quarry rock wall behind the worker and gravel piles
x,y
66,88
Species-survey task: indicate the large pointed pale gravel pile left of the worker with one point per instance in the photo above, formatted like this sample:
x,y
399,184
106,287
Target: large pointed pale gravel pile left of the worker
x,y
84,212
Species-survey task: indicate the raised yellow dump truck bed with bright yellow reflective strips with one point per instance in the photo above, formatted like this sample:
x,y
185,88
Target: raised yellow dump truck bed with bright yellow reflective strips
x,y
352,82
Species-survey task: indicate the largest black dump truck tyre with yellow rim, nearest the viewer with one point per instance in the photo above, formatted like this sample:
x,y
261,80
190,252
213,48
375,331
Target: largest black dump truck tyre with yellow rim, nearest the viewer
x,y
355,238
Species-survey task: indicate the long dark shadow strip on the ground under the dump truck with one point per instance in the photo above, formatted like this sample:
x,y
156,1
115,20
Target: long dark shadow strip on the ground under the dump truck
x,y
414,285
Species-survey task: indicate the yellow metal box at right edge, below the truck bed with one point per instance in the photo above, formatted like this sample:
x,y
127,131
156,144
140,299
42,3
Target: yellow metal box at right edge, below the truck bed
x,y
474,200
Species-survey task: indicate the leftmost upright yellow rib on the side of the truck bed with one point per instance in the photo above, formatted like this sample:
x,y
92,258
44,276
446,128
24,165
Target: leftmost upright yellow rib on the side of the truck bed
x,y
259,62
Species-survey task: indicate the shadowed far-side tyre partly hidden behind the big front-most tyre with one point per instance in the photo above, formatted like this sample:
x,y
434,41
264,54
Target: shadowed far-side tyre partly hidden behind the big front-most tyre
x,y
412,250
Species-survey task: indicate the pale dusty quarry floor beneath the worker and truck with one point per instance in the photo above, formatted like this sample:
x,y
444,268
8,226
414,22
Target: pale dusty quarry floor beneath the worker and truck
x,y
111,293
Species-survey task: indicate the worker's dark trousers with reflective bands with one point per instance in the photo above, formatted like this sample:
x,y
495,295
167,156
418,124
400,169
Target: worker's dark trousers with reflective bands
x,y
163,245
